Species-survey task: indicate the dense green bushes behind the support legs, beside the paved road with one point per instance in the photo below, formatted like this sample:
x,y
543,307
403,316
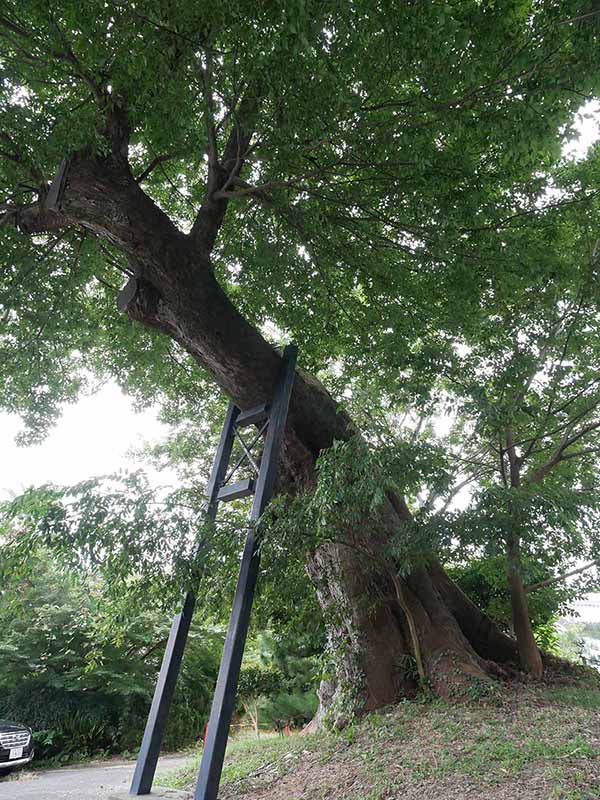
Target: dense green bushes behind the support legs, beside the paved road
x,y
84,680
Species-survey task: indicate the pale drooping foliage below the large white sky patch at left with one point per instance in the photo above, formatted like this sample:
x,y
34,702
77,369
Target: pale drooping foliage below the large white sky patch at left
x,y
88,528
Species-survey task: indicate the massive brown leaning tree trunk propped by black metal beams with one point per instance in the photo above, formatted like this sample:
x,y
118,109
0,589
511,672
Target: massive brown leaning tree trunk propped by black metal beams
x,y
385,632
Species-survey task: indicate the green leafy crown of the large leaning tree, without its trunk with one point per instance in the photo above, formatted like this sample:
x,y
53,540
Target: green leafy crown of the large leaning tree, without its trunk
x,y
379,241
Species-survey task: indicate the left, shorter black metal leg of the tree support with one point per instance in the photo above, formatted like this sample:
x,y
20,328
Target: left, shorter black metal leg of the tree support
x,y
163,694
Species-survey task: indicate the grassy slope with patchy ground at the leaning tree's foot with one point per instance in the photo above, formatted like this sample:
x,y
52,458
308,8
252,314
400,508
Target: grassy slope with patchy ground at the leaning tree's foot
x,y
537,744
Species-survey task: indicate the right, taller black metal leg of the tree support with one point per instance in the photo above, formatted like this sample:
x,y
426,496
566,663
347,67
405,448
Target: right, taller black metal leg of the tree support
x,y
225,692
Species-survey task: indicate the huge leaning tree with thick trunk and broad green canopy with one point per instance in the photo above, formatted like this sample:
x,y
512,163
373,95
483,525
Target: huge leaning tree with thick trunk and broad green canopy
x,y
322,167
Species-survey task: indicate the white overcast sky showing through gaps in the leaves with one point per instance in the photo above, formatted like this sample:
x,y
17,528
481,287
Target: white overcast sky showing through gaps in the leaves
x,y
95,435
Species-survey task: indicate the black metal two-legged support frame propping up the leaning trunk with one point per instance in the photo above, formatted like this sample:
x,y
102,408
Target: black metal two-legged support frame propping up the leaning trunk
x,y
218,490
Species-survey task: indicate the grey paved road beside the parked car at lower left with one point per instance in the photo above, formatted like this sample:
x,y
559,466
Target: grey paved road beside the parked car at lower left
x,y
78,783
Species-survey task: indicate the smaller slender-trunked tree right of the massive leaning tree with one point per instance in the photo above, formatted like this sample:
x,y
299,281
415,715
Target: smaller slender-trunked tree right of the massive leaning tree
x,y
524,382
